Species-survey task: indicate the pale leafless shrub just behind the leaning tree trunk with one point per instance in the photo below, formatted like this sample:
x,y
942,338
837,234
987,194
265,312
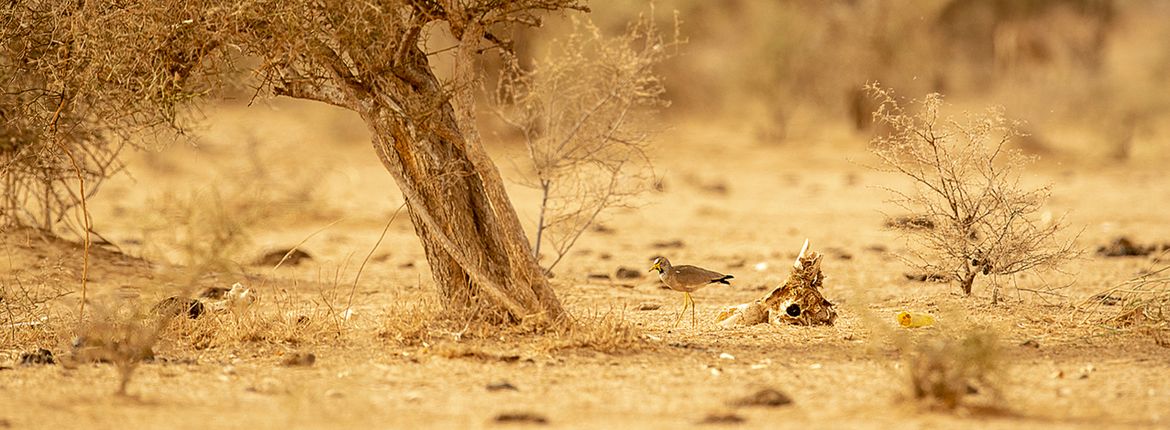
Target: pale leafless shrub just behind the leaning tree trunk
x,y
584,112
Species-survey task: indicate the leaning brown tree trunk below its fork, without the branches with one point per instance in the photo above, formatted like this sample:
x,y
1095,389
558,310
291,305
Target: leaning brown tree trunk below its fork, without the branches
x,y
457,200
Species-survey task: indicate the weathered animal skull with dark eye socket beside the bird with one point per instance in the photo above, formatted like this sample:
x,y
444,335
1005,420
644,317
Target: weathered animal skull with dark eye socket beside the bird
x,y
797,302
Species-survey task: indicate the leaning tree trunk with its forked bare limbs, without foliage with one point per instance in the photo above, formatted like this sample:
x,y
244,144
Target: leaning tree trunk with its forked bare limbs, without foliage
x,y
426,137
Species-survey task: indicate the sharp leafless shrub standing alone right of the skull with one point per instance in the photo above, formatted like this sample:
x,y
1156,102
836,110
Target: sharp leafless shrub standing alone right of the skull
x,y
967,184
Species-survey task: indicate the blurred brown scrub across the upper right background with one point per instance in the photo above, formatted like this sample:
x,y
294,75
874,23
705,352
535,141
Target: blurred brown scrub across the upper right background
x,y
1090,78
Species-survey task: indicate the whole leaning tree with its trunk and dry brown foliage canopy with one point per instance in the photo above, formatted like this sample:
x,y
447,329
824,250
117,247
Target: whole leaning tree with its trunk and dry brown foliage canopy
x,y
132,67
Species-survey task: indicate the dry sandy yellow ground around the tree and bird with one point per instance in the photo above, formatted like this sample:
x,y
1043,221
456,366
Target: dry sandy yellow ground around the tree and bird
x,y
304,174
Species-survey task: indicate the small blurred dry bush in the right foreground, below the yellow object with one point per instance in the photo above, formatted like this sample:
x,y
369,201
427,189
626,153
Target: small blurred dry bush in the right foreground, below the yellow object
x,y
949,373
